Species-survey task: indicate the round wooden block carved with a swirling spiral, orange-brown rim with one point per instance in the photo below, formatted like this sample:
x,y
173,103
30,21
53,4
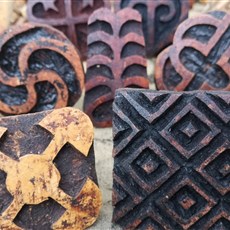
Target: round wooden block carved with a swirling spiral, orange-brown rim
x,y
40,69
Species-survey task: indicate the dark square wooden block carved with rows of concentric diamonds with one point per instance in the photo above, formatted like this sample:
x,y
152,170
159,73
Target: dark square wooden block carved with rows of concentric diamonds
x,y
171,160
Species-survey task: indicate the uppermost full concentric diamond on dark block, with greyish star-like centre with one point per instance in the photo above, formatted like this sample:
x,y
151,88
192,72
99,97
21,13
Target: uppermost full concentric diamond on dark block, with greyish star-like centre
x,y
190,130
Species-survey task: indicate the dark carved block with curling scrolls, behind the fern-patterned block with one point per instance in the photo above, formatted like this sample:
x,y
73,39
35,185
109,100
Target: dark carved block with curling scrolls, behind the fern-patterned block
x,y
160,19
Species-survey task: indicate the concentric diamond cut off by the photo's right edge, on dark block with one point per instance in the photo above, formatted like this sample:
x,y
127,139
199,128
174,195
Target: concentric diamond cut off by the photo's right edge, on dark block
x,y
216,169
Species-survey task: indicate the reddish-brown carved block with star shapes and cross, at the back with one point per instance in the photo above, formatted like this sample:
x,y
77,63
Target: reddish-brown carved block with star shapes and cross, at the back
x,y
69,16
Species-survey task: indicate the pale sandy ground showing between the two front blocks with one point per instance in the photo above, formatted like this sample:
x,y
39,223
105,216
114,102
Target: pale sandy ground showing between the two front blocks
x,y
103,147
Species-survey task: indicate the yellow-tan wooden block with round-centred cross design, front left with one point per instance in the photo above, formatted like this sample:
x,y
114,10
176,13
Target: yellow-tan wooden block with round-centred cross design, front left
x,y
47,171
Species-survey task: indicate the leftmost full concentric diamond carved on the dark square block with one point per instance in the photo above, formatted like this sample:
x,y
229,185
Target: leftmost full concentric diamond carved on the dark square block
x,y
149,166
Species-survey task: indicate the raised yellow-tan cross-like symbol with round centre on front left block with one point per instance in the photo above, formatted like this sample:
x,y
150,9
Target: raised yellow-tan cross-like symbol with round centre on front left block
x,y
34,178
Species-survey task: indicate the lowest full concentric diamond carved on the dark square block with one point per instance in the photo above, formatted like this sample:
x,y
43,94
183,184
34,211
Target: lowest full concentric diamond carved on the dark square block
x,y
186,202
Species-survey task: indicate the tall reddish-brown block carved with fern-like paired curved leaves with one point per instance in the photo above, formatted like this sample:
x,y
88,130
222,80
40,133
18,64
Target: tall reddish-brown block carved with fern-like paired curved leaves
x,y
116,59
